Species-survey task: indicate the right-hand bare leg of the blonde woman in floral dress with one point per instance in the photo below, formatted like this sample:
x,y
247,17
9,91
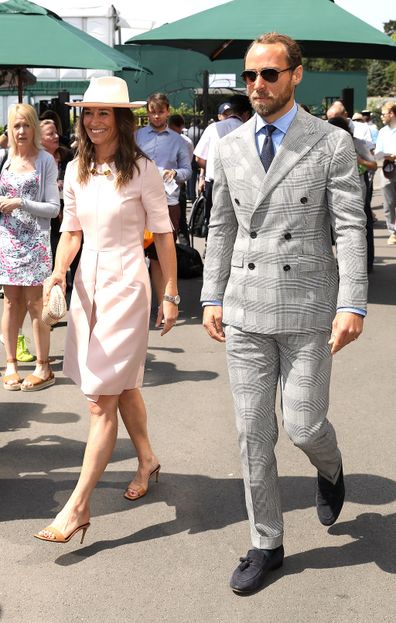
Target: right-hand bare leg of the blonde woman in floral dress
x,y
41,331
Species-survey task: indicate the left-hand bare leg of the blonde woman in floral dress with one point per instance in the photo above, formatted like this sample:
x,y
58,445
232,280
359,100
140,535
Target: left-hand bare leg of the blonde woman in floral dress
x,y
12,298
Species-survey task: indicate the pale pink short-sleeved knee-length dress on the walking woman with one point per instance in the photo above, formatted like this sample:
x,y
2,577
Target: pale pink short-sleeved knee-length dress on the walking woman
x,y
107,332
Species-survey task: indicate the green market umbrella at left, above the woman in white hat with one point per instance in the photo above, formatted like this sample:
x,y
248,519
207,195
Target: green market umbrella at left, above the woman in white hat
x,y
32,36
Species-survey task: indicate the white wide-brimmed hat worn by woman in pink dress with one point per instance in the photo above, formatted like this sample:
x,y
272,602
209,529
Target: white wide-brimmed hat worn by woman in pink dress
x,y
108,91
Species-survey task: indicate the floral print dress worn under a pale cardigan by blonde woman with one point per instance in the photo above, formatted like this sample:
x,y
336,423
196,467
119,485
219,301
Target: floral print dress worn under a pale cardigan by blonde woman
x,y
25,251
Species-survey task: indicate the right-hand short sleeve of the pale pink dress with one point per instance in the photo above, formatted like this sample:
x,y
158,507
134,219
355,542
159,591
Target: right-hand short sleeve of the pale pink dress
x,y
154,198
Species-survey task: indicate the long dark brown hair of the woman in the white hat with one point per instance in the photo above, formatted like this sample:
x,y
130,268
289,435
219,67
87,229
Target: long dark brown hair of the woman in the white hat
x,y
126,157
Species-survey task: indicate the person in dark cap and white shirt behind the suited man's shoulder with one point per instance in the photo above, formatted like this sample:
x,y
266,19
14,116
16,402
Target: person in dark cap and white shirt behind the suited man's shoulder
x,y
236,111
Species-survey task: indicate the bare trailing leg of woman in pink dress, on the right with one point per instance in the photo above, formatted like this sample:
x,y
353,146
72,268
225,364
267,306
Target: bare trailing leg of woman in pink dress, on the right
x,y
133,413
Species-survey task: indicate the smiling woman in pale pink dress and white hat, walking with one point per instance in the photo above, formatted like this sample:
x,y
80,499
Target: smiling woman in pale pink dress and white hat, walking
x,y
112,192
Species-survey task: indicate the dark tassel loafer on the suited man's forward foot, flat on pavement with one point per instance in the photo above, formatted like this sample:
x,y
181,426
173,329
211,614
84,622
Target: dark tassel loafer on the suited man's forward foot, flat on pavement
x,y
250,575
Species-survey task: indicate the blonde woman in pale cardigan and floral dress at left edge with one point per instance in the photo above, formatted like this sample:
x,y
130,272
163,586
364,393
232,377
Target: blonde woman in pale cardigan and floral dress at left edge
x,y
29,198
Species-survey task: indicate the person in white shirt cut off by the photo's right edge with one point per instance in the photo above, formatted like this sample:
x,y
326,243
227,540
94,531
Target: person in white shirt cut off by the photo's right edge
x,y
386,150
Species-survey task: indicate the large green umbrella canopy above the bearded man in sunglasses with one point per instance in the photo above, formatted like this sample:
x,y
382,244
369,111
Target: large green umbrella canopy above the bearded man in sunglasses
x,y
321,27
